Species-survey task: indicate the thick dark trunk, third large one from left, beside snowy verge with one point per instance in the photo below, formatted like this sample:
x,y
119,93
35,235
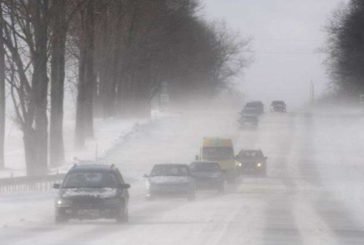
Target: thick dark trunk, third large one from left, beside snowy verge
x,y
86,83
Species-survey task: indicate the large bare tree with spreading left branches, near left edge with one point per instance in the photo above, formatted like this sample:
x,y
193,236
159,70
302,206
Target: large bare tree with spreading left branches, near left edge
x,y
25,36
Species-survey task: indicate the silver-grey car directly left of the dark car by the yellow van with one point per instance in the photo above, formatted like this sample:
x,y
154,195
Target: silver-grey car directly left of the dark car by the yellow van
x,y
170,180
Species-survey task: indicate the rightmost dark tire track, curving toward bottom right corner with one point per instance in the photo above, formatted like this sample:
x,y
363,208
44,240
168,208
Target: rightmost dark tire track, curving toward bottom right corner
x,y
344,226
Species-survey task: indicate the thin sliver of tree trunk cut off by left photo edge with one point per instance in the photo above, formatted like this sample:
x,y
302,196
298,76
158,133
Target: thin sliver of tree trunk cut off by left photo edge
x,y
2,92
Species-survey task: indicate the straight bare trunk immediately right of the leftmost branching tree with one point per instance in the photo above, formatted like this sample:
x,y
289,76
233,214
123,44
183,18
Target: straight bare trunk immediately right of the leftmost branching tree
x,y
57,84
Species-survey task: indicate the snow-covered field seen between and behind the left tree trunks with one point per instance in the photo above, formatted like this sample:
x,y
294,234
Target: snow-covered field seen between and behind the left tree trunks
x,y
107,134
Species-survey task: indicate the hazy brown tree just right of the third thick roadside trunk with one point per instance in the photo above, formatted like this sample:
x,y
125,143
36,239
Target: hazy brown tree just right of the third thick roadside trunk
x,y
108,43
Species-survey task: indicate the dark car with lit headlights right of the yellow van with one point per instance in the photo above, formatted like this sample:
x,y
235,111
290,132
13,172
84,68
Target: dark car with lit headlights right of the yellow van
x,y
252,162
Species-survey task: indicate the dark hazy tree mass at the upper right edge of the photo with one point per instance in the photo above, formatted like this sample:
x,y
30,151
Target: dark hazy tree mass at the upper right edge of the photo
x,y
346,49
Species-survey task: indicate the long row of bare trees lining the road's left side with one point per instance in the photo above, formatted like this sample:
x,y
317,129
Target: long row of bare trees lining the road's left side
x,y
124,51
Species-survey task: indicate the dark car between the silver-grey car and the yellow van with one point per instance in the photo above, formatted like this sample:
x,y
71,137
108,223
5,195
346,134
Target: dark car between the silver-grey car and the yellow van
x,y
208,175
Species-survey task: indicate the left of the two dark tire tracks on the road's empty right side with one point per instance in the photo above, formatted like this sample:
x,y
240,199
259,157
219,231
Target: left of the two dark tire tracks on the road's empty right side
x,y
276,141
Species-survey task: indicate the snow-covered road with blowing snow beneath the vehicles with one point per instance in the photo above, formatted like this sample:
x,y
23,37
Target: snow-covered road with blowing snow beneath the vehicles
x,y
313,193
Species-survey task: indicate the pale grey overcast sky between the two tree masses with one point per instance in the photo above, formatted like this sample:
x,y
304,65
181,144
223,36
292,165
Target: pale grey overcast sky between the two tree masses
x,y
287,36
